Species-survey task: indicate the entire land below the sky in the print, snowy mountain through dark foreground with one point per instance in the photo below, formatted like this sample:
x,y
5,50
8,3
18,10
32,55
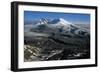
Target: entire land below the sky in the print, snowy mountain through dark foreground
x,y
56,40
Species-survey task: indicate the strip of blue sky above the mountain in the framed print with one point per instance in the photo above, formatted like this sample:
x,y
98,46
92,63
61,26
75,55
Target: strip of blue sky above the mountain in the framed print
x,y
75,18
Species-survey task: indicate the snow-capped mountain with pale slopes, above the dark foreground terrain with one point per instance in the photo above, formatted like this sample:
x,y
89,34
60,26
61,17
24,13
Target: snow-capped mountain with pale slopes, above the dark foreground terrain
x,y
58,26
